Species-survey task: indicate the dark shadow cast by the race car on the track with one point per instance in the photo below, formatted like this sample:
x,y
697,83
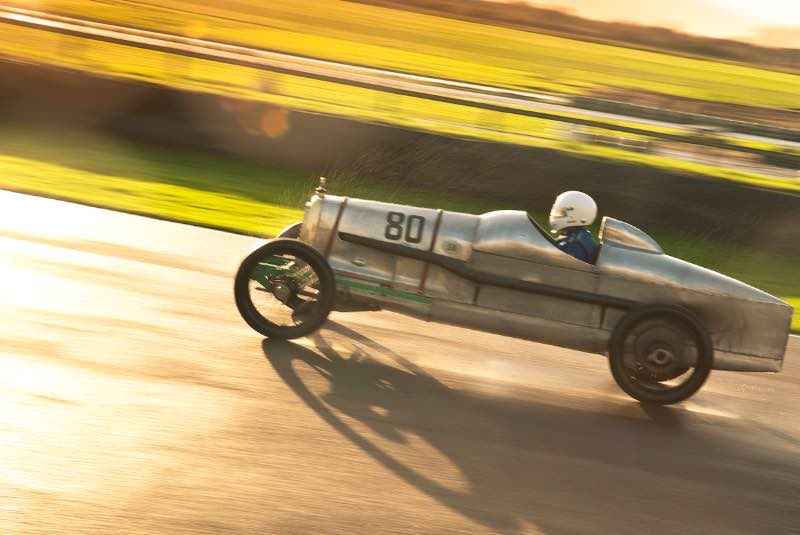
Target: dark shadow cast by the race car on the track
x,y
528,462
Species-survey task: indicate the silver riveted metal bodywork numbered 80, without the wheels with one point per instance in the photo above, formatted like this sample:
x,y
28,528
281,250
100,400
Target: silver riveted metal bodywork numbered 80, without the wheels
x,y
500,272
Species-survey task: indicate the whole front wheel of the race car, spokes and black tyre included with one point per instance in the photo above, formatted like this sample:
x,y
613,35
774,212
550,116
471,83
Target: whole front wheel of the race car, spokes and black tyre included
x,y
285,289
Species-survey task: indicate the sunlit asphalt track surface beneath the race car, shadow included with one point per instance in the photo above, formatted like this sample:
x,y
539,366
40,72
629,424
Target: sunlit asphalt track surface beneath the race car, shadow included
x,y
133,399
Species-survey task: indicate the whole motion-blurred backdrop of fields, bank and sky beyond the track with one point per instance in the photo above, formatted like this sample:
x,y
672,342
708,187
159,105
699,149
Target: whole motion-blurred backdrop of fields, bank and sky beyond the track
x,y
683,119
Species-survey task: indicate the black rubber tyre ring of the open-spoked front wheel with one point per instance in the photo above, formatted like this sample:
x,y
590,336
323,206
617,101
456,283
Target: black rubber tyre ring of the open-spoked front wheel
x,y
315,312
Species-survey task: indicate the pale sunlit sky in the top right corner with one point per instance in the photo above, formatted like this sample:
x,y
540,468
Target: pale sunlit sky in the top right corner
x,y
771,22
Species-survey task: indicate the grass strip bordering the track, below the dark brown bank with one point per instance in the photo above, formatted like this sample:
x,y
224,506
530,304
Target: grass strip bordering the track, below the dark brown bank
x,y
211,191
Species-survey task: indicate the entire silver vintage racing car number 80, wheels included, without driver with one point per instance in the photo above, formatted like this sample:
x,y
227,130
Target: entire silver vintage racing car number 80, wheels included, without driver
x,y
664,323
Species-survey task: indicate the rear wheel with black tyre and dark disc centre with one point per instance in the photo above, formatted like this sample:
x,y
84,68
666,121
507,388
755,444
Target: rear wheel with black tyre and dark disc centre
x,y
672,328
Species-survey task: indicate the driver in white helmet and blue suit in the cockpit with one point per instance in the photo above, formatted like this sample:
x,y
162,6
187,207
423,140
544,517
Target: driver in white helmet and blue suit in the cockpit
x,y
572,212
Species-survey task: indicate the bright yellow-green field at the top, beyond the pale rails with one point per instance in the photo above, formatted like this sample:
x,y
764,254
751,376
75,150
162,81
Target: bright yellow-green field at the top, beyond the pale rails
x,y
443,47
